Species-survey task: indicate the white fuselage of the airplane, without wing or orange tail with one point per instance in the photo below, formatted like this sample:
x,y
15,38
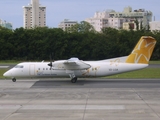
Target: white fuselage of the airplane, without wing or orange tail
x,y
97,69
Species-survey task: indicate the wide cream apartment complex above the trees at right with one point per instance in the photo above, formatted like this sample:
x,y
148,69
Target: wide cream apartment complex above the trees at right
x,y
111,18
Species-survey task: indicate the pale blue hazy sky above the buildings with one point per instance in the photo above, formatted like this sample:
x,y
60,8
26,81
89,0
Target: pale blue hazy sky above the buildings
x,y
78,10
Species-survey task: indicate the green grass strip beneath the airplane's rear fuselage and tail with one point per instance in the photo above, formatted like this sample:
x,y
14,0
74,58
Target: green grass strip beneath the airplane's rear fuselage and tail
x,y
144,73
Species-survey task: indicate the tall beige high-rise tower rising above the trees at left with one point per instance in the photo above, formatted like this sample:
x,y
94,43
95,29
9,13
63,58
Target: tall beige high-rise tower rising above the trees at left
x,y
34,15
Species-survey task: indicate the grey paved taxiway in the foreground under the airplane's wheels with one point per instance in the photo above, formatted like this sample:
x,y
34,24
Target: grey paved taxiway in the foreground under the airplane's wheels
x,y
88,99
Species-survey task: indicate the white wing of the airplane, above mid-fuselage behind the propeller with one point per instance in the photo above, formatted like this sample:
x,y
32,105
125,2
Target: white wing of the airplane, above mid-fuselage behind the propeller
x,y
75,64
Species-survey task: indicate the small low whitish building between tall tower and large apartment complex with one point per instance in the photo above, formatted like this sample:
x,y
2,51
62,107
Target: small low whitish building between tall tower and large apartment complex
x,y
66,24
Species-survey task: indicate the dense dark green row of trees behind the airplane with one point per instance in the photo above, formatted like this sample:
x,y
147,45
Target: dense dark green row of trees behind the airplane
x,y
38,43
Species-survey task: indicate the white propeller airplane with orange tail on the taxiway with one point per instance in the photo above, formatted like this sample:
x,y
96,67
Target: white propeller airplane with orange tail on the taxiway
x,y
74,68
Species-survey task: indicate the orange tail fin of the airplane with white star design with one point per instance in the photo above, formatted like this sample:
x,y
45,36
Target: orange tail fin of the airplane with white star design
x,y
142,51
